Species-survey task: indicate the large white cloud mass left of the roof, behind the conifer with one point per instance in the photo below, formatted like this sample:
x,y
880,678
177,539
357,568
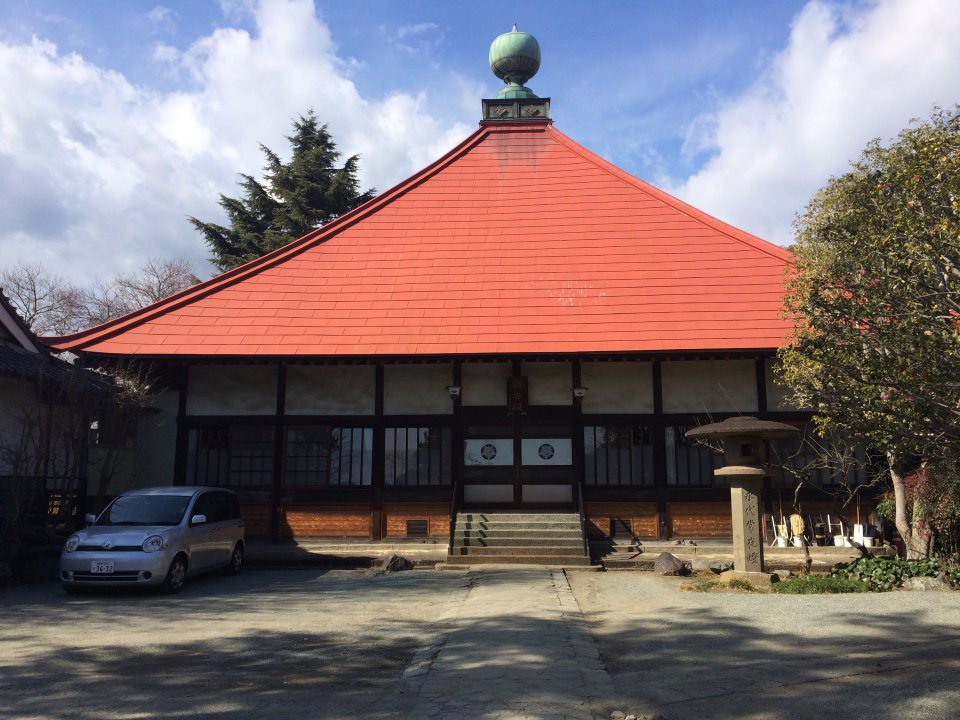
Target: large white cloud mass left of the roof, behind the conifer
x,y
99,174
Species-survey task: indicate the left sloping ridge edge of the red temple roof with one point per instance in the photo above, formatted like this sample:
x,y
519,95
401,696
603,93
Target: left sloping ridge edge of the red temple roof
x,y
225,279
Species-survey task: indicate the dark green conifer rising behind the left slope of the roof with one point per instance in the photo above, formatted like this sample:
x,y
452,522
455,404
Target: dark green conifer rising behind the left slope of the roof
x,y
295,197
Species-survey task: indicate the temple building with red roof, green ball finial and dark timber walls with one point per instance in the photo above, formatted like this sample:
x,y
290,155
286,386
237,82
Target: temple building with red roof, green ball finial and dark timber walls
x,y
519,325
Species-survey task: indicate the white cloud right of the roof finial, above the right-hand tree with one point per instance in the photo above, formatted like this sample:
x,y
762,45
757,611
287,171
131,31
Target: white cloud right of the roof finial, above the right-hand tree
x,y
844,78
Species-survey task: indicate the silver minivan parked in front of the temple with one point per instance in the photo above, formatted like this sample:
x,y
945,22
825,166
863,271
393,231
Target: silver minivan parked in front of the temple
x,y
156,536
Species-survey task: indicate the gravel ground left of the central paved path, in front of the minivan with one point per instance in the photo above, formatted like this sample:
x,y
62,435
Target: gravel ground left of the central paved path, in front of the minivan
x,y
276,644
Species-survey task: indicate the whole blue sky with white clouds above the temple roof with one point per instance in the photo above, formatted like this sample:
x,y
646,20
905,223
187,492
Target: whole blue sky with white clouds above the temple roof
x,y
118,119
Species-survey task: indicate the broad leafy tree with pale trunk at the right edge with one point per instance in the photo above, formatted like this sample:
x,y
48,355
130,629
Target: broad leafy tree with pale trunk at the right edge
x,y
876,293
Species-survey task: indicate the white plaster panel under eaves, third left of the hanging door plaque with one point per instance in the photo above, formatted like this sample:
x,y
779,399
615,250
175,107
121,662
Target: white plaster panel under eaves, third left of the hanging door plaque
x,y
331,390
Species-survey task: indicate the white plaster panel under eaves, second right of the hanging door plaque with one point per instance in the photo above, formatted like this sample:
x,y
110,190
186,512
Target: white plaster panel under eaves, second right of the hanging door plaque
x,y
617,387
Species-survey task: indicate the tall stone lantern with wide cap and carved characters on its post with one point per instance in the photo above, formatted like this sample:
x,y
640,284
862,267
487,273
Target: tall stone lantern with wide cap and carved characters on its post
x,y
745,454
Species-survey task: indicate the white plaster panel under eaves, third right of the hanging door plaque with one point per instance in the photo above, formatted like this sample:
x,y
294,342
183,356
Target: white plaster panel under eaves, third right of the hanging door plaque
x,y
697,386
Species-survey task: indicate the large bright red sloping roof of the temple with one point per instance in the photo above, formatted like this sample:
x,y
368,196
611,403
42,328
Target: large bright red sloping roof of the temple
x,y
518,240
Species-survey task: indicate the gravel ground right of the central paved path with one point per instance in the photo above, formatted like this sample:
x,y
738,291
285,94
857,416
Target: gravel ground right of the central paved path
x,y
730,655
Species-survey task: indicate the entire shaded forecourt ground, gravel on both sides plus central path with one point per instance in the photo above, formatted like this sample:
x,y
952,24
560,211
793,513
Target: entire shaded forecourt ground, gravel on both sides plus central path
x,y
502,643
